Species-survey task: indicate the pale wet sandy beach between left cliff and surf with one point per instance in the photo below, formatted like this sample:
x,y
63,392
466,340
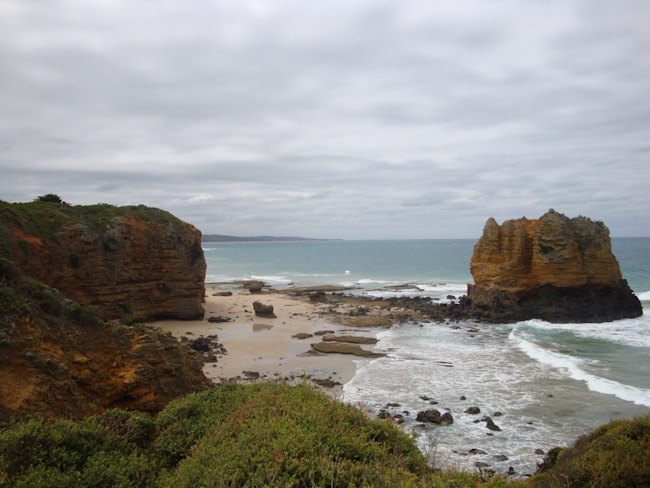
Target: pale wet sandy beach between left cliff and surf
x,y
265,348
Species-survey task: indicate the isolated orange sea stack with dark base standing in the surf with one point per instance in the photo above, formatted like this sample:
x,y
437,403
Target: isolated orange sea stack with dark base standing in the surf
x,y
553,268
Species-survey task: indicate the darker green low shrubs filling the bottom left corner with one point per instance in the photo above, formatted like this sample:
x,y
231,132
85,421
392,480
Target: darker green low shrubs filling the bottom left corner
x,y
75,454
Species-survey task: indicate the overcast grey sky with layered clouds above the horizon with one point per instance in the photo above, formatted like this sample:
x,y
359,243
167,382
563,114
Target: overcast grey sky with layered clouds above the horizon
x,y
352,119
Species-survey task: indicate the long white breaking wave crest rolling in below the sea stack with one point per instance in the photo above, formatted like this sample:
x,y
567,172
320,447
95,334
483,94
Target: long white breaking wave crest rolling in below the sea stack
x,y
574,367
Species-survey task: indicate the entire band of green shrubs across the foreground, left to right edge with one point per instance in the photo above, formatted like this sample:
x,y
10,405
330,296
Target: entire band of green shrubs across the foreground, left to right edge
x,y
274,435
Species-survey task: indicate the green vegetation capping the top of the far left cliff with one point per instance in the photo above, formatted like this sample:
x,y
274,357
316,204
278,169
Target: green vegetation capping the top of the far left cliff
x,y
43,218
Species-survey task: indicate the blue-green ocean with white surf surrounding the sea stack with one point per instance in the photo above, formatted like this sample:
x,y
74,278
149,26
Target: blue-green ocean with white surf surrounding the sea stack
x,y
542,384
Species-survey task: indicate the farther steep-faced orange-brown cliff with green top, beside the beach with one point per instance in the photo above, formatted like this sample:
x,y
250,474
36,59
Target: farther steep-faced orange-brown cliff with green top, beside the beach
x,y
134,263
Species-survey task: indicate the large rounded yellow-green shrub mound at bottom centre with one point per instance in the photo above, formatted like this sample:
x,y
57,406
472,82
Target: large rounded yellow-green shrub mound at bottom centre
x,y
284,436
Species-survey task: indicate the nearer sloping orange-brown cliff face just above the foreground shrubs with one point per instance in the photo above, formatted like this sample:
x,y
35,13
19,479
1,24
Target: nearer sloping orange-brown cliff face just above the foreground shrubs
x,y
60,358
